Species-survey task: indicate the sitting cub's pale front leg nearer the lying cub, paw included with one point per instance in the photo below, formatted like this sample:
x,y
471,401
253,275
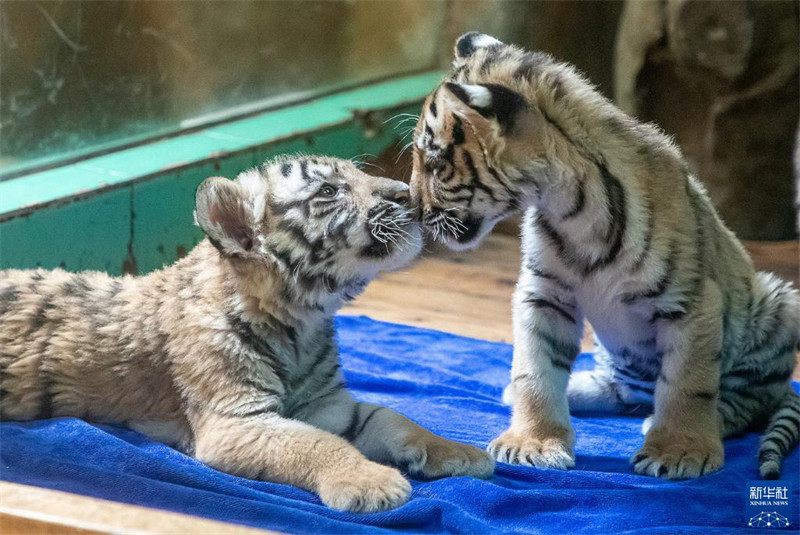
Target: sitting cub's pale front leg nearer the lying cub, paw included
x,y
547,333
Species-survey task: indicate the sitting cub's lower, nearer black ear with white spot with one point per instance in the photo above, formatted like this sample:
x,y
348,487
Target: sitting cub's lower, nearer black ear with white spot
x,y
491,101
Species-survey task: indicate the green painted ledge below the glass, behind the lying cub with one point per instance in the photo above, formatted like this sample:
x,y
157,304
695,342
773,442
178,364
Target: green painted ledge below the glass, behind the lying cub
x,y
131,211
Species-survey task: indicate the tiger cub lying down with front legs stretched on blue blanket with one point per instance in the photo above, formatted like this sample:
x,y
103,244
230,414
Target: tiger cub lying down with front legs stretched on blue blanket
x,y
230,354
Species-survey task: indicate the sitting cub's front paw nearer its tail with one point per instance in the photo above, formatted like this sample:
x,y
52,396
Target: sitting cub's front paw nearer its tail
x,y
678,455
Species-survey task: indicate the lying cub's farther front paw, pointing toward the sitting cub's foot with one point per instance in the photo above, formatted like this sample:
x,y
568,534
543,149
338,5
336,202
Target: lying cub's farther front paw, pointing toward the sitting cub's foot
x,y
434,457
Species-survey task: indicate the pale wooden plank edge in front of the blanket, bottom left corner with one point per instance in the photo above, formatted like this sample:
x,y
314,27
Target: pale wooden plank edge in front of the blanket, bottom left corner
x,y
27,510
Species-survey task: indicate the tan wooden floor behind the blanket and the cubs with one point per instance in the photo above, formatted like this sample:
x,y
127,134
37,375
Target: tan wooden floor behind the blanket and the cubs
x,y
469,293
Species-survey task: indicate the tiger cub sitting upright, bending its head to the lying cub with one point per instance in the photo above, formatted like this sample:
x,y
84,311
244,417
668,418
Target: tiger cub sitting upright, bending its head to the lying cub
x,y
617,231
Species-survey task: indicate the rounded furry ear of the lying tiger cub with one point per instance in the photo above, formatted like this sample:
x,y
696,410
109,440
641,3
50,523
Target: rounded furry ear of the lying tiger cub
x,y
223,210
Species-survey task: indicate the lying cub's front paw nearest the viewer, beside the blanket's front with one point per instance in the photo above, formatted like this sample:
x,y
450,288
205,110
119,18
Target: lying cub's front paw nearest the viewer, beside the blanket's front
x,y
369,488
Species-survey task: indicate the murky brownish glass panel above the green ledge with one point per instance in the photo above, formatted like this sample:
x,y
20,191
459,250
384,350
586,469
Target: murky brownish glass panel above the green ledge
x,y
78,77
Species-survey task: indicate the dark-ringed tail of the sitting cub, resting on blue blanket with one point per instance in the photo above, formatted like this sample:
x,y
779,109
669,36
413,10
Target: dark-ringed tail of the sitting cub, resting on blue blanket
x,y
780,437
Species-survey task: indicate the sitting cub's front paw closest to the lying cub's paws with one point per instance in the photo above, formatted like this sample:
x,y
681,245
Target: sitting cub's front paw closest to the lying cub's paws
x,y
527,449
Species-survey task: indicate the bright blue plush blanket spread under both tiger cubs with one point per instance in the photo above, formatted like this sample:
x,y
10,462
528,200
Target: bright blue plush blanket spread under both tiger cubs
x,y
447,383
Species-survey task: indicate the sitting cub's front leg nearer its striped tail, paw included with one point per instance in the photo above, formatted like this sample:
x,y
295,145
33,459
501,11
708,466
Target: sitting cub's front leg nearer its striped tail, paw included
x,y
685,436
